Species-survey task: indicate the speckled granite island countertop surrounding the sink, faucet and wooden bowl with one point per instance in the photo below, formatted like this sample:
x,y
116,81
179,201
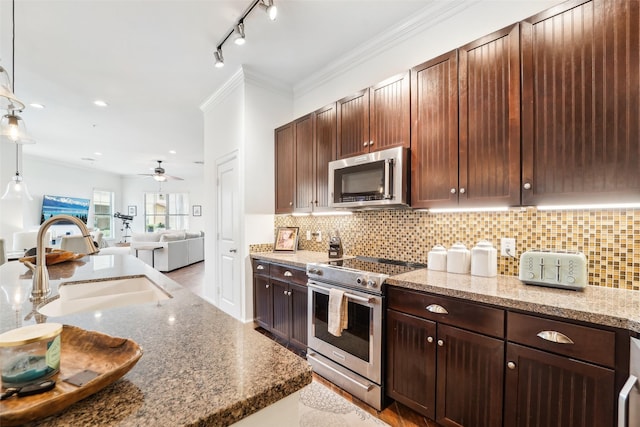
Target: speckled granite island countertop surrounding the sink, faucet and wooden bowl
x,y
199,366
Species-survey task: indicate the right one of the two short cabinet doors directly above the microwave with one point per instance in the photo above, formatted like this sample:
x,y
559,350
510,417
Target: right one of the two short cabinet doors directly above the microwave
x,y
389,113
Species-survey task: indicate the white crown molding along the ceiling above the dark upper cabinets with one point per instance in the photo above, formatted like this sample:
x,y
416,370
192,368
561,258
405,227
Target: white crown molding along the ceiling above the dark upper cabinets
x,y
431,15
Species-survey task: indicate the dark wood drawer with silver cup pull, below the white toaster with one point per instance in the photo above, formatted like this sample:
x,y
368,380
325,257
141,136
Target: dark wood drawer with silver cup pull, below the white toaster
x,y
586,343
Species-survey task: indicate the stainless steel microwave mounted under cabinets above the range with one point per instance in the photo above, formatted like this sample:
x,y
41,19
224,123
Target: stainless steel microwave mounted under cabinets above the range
x,y
377,179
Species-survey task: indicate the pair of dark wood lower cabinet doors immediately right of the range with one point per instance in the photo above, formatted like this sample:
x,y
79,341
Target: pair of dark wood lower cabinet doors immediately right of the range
x,y
445,373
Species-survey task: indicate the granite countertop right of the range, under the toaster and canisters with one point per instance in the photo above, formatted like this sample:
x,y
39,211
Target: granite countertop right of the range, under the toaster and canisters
x,y
596,304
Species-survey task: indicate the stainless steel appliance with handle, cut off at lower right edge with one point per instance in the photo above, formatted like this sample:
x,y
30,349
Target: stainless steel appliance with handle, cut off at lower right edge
x,y
629,398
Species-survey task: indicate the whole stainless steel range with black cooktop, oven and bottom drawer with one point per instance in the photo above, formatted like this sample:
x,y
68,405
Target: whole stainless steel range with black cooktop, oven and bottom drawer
x,y
354,360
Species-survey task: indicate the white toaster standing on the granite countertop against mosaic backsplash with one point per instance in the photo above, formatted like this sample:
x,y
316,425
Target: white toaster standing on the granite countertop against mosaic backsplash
x,y
558,269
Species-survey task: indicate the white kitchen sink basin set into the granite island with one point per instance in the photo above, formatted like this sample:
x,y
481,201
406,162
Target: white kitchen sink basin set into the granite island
x,y
78,297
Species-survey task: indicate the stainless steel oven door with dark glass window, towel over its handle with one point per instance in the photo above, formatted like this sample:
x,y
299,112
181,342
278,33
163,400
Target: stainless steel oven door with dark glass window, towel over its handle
x,y
359,348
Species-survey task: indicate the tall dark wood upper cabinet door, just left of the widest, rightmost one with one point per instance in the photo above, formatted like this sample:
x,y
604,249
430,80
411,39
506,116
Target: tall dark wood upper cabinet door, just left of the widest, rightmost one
x,y
489,146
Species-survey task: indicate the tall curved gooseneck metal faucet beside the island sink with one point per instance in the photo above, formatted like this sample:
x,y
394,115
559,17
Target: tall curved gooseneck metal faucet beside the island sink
x,y
40,287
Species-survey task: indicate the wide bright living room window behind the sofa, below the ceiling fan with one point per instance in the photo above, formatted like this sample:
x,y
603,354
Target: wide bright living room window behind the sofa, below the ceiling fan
x,y
168,211
